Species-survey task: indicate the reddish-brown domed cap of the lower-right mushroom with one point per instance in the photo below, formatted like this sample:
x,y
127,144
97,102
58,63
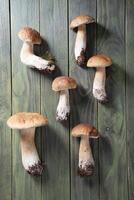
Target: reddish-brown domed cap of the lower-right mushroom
x,y
85,130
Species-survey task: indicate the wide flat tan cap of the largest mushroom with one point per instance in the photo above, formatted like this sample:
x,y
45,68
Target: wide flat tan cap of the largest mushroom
x,y
24,120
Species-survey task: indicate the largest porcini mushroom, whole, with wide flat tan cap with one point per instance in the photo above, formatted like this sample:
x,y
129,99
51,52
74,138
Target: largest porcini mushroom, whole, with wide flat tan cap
x,y
26,122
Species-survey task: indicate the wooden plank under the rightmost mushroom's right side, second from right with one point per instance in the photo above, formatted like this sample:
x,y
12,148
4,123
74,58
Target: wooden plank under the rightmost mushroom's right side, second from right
x,y
111,117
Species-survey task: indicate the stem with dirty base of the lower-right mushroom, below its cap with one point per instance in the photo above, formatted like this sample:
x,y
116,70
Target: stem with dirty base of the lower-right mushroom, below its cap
x,y
86,161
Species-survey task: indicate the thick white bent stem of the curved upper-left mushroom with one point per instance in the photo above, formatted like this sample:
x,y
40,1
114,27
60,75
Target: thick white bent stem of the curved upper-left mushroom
x,y
28,58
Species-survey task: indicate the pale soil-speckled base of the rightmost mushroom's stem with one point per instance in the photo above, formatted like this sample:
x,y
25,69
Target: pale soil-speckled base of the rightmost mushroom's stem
x,y
100,95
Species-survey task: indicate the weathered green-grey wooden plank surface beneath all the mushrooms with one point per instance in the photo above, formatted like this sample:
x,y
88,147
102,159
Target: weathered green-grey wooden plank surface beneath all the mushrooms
x,y
22,89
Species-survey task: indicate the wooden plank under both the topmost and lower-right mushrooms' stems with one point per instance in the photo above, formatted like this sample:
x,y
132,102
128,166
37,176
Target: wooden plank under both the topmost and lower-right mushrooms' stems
x,y
84,108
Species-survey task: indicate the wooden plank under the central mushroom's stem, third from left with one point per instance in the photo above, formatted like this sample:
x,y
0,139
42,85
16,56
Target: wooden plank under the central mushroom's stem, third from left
x,y
55,150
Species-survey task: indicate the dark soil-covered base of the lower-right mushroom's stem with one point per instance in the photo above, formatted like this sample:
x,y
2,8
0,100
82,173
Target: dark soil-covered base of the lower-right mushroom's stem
x,y
86,170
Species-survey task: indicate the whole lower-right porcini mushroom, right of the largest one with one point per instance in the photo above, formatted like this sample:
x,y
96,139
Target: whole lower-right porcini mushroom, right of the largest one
x,y
86,162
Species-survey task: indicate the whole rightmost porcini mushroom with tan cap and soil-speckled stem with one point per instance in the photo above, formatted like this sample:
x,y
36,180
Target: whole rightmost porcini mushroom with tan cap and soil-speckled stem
x,y
100,61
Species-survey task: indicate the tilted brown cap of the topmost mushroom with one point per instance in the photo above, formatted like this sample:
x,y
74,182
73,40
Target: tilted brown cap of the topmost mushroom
x,y
81,20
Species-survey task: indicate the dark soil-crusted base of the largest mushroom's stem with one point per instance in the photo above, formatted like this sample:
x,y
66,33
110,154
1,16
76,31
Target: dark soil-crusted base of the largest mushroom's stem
x,y
36,169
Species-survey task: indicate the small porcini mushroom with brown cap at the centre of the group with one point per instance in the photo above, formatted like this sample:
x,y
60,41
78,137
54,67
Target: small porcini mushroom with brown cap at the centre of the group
x,y
62,84
